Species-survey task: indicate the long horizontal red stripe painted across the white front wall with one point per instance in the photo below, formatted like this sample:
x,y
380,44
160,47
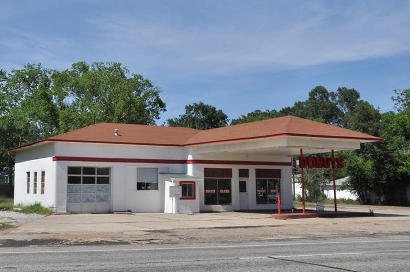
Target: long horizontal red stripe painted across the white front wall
x,y
165,161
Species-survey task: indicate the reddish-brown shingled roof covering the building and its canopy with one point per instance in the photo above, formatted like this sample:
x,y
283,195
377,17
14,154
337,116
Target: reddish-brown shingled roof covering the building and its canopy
x,y
177,136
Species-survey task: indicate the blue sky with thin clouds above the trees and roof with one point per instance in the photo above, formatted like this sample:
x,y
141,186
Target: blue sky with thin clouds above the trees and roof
x,y
236,55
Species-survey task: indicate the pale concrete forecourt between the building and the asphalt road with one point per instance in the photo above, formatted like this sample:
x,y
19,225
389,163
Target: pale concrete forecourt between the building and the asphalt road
x,y
226,226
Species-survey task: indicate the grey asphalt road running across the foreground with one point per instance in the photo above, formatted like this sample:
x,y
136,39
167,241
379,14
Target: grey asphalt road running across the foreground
x,y
389,253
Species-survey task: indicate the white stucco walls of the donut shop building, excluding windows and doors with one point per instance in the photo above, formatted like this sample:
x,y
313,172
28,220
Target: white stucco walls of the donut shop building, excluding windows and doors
x,y
124,194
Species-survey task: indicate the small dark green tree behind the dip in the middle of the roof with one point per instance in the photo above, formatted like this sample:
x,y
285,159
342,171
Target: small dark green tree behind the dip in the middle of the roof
x,y
200,116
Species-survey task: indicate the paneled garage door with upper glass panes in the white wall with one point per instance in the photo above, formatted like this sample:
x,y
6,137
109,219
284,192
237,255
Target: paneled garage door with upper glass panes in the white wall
x,y
88,190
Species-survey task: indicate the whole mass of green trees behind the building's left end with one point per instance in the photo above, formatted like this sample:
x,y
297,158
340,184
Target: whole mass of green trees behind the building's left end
x,y
36,102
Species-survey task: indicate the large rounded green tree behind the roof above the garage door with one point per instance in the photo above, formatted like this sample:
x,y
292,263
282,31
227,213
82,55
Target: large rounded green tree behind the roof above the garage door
x,y
105,92
